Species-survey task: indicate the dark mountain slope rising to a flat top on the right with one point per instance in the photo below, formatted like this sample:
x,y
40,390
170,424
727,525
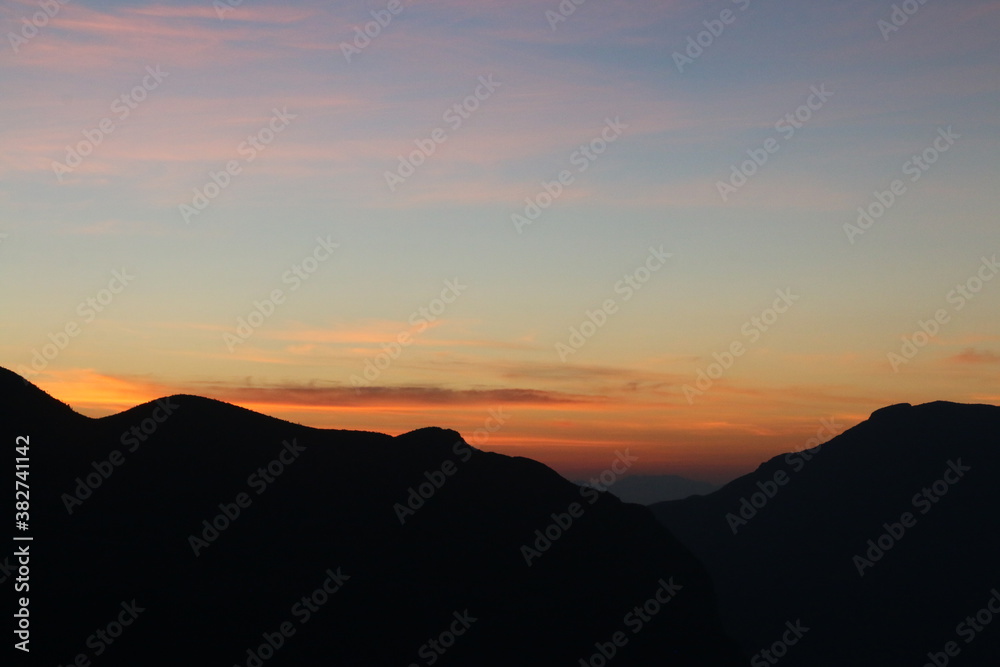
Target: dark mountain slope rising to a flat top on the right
x,y
881,547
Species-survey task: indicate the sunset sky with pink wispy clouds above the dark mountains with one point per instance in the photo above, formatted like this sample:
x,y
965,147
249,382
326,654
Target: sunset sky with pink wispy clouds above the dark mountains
x,y
703,232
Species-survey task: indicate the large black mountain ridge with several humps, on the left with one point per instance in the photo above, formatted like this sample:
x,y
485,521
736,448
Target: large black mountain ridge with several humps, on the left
x,y
192,532
